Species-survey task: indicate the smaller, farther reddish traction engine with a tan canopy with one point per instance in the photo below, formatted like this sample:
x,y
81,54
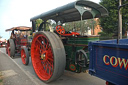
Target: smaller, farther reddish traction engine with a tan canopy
x,y
18,43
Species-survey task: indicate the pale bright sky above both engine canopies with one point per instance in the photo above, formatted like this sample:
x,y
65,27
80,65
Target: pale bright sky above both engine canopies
x,y
18,12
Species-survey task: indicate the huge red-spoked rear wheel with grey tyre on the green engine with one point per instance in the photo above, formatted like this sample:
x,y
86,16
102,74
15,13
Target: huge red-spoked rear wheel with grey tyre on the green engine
x,y
48,56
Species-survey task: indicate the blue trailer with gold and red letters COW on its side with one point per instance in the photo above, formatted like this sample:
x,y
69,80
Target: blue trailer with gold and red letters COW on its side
x,y
109,61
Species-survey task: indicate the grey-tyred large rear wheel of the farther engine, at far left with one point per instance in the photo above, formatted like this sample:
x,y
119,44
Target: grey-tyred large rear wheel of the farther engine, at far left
x,y
10,48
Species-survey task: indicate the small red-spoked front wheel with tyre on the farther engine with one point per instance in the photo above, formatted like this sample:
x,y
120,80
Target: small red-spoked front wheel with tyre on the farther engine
x,y
25,56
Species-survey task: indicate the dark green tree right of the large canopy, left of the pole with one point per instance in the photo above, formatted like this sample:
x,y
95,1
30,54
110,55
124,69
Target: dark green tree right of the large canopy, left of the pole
x,y
109,23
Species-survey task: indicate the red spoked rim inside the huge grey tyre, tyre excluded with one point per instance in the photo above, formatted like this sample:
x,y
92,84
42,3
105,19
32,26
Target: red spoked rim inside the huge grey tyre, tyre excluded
x,y
42,57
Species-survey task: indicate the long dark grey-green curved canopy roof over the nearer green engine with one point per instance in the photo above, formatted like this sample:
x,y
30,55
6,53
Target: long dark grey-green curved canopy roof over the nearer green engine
x,y
73,12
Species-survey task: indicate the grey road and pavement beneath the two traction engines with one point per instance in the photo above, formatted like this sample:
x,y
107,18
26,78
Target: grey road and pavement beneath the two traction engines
x,y
15,72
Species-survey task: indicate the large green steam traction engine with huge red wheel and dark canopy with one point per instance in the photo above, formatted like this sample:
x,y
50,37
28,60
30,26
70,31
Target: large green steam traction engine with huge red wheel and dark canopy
x,y
56,50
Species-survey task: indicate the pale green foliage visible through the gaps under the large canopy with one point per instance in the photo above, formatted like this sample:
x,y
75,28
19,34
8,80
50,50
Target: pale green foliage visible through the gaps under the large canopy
x,y
81,26
